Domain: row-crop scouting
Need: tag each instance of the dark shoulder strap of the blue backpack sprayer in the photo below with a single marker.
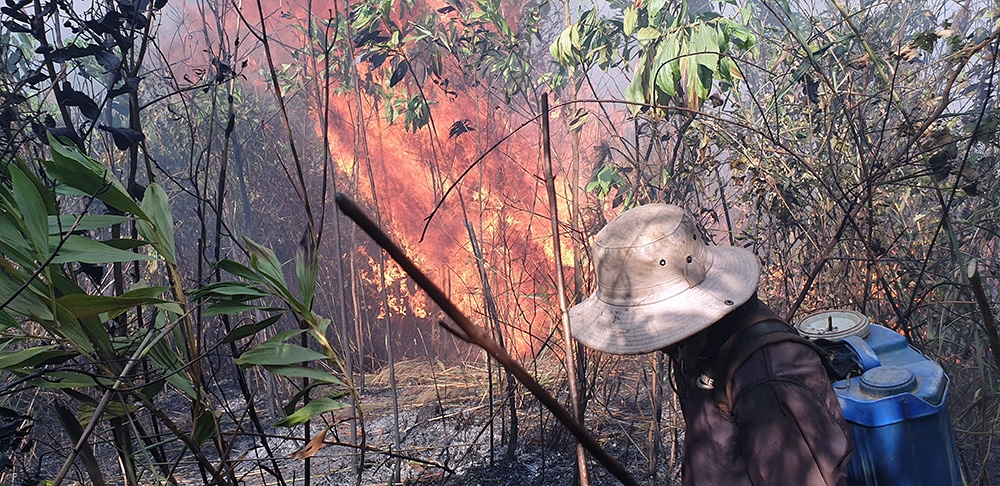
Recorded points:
(747, 340)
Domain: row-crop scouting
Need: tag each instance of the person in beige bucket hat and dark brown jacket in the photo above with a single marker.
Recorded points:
(773, 417)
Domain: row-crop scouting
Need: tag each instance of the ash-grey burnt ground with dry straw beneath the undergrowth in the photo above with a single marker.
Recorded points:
(451, 432)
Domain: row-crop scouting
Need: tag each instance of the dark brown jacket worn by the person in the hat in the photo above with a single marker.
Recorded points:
(785, 428)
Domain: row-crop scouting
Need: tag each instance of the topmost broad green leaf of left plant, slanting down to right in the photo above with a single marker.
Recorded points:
(74, 169)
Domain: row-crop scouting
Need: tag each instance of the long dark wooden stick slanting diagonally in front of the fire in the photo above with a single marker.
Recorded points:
(469, 332)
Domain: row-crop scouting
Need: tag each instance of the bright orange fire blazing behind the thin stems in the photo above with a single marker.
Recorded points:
(405, 175)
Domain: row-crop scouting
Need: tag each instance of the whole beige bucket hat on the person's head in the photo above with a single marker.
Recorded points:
(659, 282)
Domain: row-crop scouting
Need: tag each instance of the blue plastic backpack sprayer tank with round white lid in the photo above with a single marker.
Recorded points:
(897, 406)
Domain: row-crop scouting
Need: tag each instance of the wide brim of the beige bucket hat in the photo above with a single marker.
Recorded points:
(638, 329)
